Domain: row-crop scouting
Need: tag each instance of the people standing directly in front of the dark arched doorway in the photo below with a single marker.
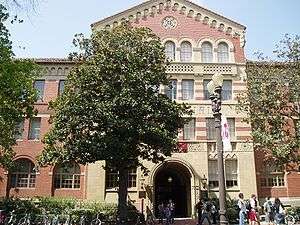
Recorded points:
(166, 212)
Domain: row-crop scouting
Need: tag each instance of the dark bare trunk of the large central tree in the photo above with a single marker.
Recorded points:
(122, 194)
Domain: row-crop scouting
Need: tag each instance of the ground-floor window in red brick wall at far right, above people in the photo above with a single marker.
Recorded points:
(272, 177)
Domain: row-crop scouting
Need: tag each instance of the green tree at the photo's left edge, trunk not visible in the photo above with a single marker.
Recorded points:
(17, 94)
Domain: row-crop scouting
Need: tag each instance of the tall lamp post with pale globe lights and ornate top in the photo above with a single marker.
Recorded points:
(215, 89)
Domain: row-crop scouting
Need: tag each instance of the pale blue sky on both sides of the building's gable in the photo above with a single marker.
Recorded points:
(49, 31)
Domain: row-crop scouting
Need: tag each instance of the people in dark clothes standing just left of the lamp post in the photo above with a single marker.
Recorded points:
(207, 210)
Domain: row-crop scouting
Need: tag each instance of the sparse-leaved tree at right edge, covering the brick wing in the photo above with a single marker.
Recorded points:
(272, 103)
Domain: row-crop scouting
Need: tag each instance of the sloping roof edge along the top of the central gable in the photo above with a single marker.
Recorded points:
(145, 3)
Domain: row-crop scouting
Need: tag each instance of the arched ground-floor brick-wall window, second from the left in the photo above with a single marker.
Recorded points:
(67, 176)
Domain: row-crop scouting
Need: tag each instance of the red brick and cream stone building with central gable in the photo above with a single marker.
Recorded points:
(200, 43)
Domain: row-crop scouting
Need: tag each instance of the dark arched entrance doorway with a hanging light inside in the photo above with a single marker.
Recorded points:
(173, 181)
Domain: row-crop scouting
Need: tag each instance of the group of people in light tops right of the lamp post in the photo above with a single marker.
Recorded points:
(274, 211)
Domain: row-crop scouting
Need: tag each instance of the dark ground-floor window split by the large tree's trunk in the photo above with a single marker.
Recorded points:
(112, 178)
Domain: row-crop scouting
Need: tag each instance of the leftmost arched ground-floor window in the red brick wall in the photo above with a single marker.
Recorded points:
(23, 174)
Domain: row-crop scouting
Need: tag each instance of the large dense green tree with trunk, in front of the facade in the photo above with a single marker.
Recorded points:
(111, 108)
